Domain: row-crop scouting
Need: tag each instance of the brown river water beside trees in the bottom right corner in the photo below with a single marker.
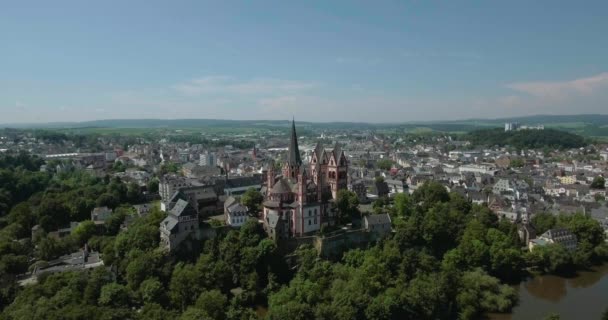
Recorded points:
(584, 297)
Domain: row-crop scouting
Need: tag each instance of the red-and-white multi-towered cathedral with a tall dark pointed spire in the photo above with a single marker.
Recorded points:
(297, 201)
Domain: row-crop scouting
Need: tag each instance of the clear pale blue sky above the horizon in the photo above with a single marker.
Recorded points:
(376, 61)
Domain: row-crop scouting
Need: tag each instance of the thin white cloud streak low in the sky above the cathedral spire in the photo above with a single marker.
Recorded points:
(229, 85)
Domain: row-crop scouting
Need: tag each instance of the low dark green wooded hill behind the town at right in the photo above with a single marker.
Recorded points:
(526, 139)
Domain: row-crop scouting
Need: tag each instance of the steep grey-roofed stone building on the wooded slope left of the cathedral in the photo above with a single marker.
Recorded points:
(180, 223)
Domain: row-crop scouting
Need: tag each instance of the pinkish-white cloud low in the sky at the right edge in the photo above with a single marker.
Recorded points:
(559, 90)
